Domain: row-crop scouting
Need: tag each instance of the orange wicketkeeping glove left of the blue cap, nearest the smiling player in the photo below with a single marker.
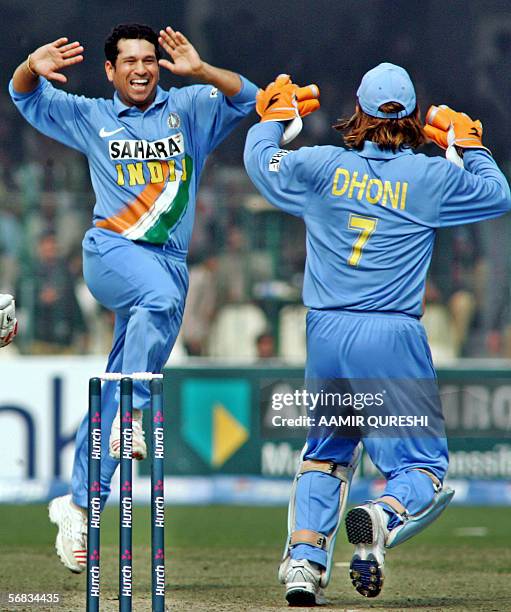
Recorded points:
(283, 100)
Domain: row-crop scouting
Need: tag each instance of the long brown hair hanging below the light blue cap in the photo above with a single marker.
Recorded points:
(388, 133)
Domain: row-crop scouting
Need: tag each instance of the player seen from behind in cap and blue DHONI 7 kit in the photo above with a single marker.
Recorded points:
(370, 210)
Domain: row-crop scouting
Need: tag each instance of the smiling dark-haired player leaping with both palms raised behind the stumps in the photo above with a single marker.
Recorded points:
(146, 148)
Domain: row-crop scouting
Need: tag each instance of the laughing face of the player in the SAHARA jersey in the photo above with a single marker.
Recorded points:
(136, 72)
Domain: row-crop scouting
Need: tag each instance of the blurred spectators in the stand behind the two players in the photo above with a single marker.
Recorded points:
(246, 269)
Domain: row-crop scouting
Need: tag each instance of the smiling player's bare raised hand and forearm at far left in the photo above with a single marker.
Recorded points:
(46, 61)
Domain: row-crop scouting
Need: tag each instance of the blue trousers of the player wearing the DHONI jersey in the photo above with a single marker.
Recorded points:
(348, 345)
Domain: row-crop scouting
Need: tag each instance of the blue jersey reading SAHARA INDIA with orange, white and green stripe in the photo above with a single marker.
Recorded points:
(144, 166)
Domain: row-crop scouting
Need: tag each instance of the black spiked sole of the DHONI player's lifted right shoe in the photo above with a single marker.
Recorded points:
(366, 574)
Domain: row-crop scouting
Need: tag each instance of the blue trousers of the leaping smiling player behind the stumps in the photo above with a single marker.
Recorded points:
(145, 286)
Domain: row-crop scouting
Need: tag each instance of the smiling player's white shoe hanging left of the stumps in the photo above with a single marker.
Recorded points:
(71, 542)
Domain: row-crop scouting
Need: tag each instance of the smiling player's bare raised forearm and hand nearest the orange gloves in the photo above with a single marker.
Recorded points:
(187, 62)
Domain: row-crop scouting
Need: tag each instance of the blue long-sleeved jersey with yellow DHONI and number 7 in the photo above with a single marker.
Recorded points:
(371, 215)
